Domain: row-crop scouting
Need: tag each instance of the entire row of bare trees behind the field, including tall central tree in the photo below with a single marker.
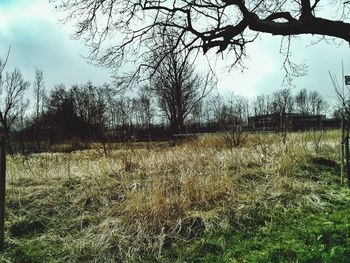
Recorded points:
(175, 99)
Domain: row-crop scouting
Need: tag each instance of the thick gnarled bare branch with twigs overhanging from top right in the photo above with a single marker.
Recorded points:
(222, 25)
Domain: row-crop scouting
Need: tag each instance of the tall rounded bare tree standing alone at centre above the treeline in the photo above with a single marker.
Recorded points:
(178, 88)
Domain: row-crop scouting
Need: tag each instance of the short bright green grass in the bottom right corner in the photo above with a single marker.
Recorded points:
(294, 235)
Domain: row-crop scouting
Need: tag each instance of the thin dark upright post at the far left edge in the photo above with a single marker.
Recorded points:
(2, 187)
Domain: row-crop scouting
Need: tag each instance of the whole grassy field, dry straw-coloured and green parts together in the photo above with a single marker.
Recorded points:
(270, 200)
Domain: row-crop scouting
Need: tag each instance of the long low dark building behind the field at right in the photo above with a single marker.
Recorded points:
(290, 122)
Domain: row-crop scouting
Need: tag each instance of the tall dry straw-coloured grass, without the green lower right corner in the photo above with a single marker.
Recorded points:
(137, 202)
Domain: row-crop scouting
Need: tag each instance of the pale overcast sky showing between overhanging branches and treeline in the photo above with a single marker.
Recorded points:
(38, 40)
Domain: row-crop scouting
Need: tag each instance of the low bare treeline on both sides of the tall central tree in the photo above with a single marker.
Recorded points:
(88, 113)
